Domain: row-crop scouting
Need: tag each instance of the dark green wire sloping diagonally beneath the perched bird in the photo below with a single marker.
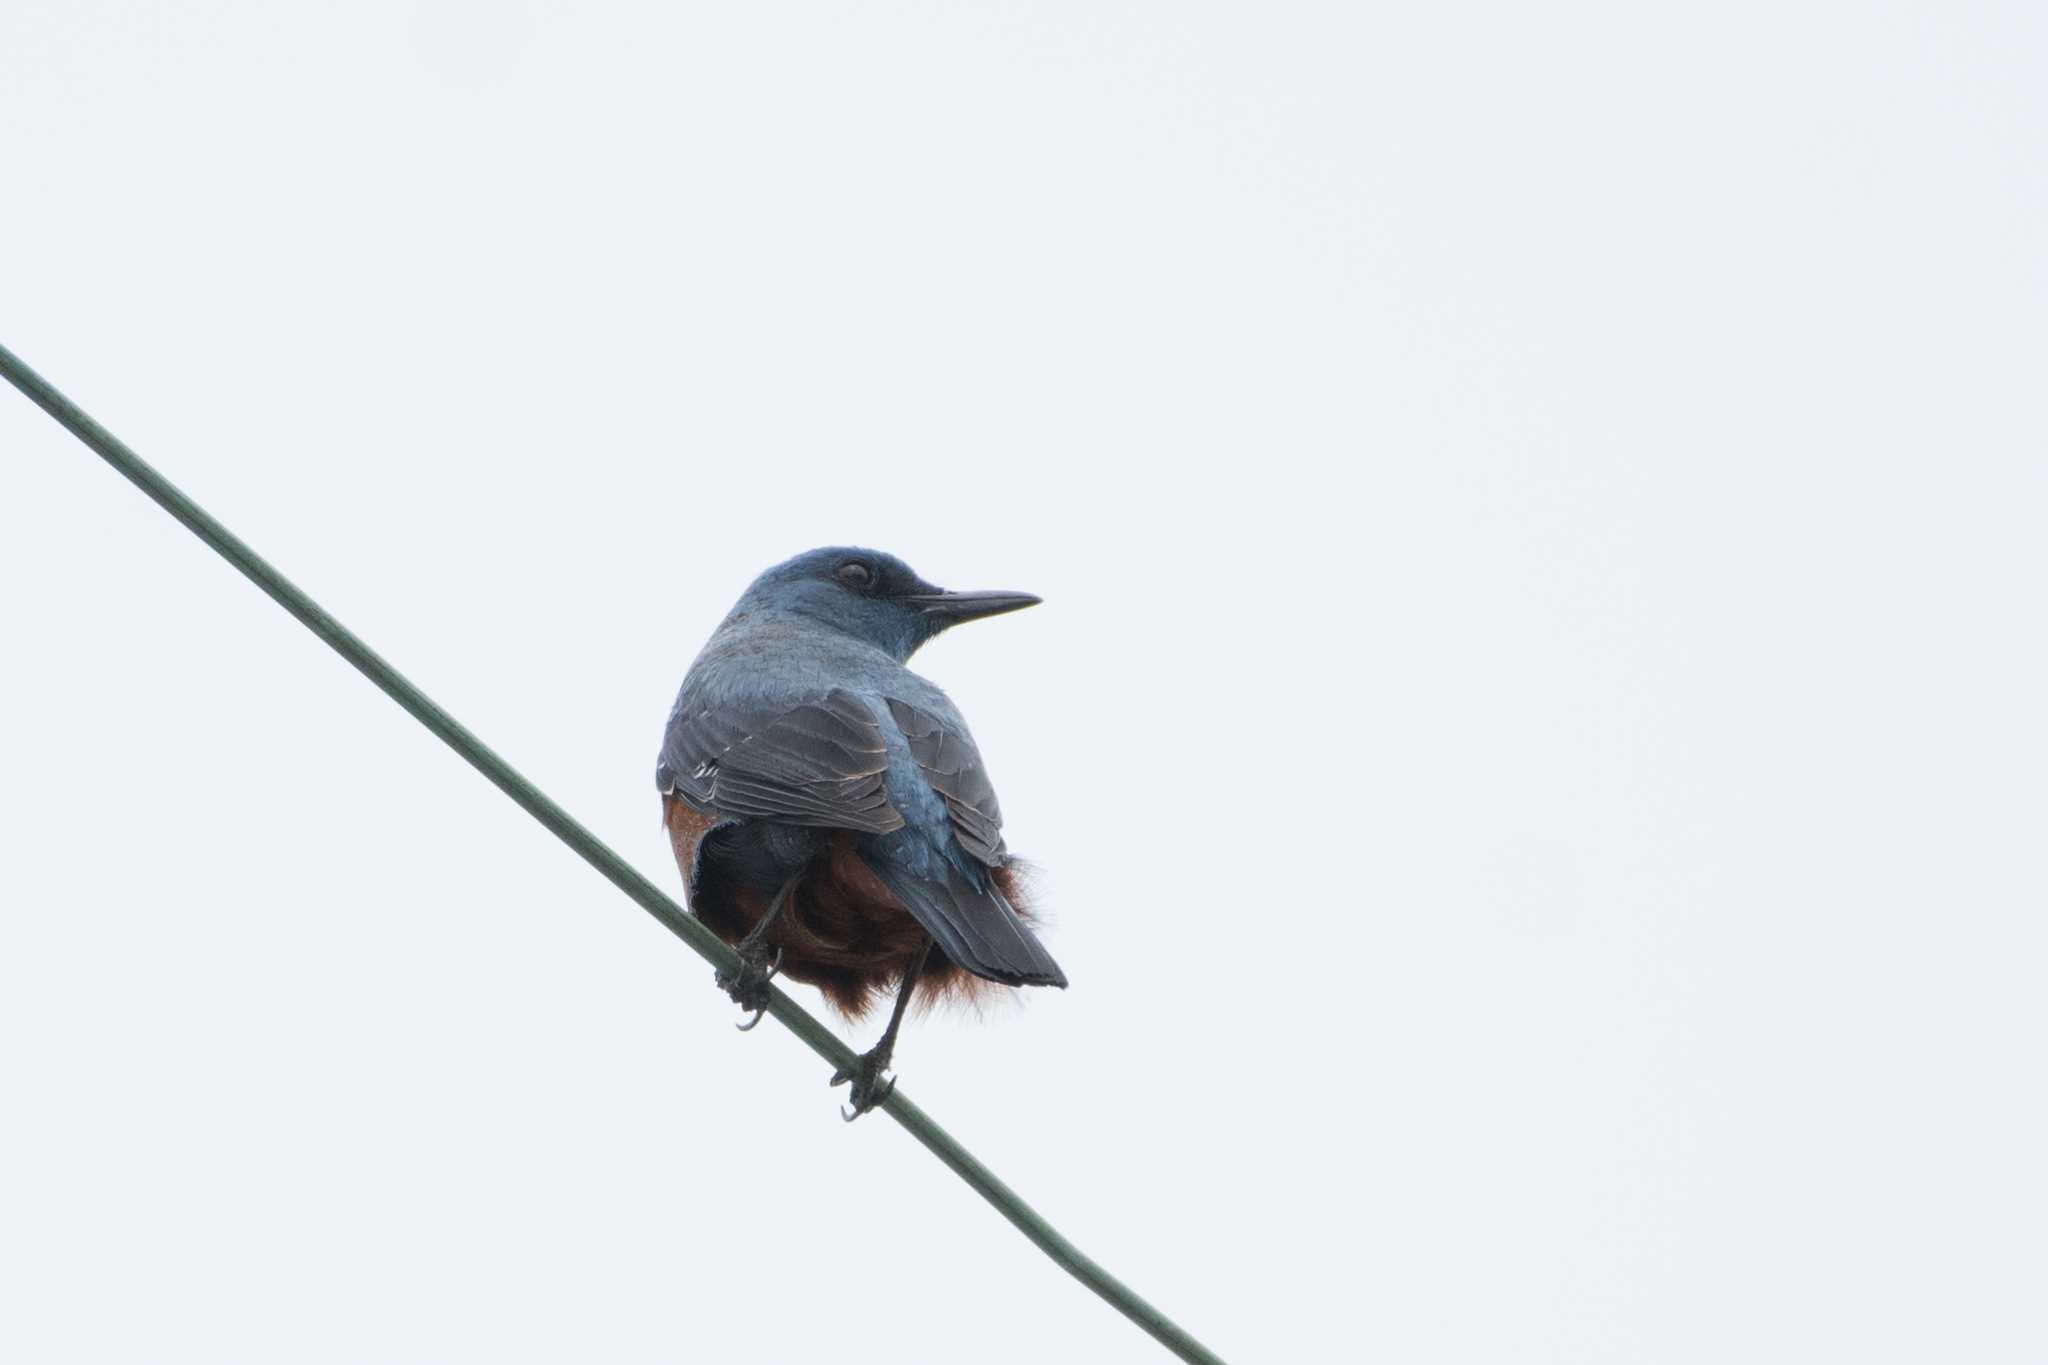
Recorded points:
(593, 850)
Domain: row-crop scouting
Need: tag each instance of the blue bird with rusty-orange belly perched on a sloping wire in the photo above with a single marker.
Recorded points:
(828, 807)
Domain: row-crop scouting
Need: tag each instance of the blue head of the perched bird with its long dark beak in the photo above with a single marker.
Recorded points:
(871, 597)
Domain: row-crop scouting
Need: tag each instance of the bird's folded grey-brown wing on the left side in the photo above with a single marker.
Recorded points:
(814, 760)
